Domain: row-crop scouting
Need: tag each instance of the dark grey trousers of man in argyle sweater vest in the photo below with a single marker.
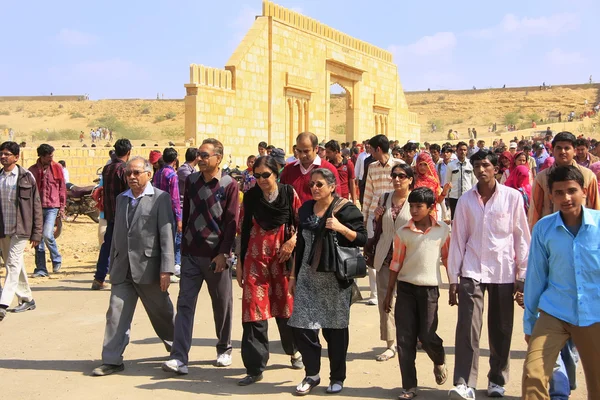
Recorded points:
(194, 271)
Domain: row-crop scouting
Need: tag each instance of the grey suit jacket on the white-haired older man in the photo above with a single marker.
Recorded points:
(147, 246)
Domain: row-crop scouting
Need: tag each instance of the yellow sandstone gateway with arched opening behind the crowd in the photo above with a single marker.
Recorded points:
(277, 84)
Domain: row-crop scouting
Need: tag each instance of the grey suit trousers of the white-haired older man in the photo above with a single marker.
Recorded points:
(123, 300)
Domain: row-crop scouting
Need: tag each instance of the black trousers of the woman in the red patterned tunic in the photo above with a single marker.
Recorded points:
(255, 344)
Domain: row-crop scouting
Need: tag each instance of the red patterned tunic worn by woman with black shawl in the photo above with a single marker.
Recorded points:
(265, 288)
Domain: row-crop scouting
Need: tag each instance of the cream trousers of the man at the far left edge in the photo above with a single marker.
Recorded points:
(16, 276)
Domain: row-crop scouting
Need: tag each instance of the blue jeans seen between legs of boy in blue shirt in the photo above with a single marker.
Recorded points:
(565, 373)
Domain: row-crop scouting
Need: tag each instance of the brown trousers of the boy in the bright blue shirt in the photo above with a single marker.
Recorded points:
(548, 337)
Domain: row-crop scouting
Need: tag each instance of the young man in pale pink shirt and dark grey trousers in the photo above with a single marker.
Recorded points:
(488, 255)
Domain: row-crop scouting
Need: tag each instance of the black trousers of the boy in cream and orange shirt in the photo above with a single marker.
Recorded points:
(416, 315)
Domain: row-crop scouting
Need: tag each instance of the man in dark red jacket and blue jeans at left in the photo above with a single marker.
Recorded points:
(53, 193)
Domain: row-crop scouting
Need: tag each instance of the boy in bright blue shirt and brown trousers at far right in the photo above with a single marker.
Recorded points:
(562, 292)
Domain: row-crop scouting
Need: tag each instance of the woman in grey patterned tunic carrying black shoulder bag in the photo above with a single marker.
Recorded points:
(321, 301)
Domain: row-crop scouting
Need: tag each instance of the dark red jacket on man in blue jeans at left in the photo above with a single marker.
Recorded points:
(51, 185)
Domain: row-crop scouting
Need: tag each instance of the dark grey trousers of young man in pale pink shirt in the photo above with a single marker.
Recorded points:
(468, 330)
